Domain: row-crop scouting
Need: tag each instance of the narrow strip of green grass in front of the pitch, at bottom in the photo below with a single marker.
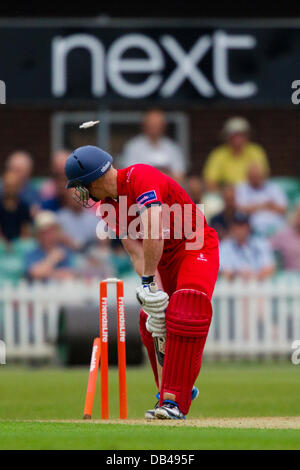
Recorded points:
(113, 436)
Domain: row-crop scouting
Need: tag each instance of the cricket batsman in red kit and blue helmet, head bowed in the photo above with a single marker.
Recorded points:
(177, 258)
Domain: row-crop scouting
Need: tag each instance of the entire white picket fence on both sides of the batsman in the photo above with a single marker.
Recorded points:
(249, 318)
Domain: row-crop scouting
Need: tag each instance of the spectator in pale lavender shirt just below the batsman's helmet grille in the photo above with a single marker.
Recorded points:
(77, 223)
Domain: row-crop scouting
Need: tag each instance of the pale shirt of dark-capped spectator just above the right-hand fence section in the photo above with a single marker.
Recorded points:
(254, 255)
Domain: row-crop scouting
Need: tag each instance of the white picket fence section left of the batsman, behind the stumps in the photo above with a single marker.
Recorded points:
(29, 313)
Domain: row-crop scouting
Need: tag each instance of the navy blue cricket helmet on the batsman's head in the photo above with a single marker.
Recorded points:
(86, 164)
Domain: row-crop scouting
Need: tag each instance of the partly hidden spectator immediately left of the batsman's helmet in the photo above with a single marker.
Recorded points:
(53, 191)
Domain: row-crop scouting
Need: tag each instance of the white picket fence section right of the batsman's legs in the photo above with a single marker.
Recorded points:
(255, 318)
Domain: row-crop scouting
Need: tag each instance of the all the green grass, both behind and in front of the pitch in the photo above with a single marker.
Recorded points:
(225, 391)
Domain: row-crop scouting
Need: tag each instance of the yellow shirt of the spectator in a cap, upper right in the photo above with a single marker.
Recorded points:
(223, 166)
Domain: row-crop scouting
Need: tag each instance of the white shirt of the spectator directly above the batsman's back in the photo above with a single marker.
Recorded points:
(163, 154)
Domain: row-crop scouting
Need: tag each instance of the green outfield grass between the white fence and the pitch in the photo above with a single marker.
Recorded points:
(225, 390)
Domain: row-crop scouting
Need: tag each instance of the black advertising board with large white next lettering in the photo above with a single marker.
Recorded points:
(81, 61)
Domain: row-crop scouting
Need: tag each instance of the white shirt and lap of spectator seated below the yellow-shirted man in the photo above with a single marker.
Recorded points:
(263, 222)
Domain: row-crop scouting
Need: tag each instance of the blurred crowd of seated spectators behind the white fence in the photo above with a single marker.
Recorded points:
(45, 234)
